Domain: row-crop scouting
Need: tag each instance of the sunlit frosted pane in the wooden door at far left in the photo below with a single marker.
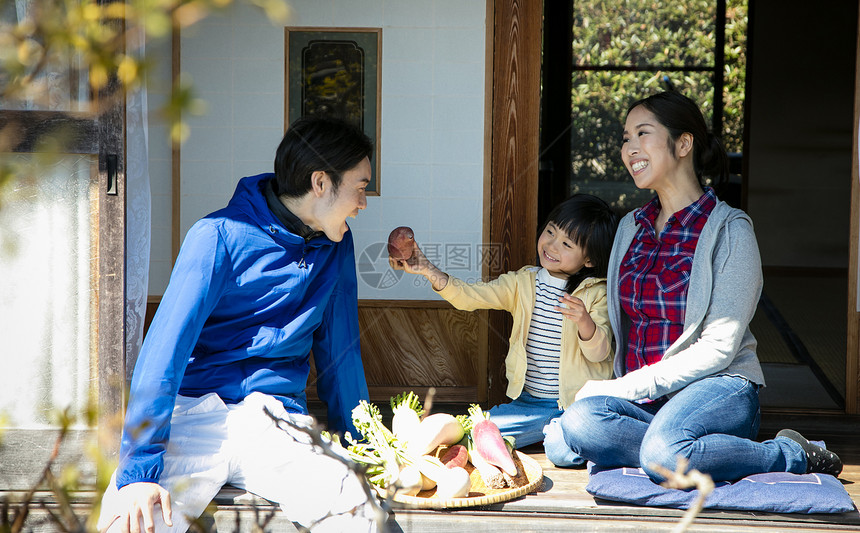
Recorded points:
(48, 302)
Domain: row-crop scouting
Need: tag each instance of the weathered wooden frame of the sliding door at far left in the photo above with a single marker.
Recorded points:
(25, 451)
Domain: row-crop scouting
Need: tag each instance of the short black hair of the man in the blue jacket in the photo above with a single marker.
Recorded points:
(317, 143)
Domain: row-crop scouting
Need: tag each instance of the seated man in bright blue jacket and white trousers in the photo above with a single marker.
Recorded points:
(257, 286)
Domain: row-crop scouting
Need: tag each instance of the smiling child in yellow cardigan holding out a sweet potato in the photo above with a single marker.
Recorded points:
(560, 336)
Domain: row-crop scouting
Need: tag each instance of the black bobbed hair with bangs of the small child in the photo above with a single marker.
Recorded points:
(591, 224)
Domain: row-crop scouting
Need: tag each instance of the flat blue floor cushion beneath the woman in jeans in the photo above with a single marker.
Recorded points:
(778, 492)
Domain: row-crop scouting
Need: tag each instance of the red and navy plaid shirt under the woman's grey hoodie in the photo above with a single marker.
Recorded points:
(654, 277)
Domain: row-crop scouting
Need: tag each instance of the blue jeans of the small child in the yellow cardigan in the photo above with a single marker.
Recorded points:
(529, 419)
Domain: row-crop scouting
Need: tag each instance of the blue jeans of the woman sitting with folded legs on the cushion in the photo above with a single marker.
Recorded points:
(710, 422)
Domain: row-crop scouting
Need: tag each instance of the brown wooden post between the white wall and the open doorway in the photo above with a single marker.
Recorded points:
(515, 158)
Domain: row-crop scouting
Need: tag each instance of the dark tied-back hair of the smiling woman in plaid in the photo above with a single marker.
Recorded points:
(680, 114)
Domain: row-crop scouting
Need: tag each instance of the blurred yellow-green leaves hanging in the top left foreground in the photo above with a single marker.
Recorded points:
(85, 44)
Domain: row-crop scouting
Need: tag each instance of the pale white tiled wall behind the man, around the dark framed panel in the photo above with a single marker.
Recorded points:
(433, 90)
